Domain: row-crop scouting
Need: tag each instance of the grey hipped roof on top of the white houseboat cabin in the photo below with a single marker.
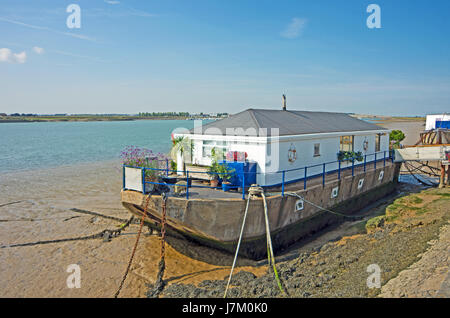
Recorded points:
(289, 122)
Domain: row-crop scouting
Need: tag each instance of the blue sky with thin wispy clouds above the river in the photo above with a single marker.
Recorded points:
(131, 56)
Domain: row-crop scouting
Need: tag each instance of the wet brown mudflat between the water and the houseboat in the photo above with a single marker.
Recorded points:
(35, 206)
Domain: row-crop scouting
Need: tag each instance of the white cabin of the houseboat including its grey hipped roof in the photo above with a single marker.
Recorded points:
(285, 140)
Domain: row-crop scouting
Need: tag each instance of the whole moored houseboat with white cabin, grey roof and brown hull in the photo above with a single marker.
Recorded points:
(307, 163)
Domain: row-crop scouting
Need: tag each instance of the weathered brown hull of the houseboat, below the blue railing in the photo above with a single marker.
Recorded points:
(217, 222)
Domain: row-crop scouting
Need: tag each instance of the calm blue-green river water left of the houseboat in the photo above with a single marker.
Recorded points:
(25, 146)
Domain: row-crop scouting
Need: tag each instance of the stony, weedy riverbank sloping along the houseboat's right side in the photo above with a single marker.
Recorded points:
(394, 241)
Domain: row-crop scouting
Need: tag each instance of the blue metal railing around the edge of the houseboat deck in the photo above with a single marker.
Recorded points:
(302, 172)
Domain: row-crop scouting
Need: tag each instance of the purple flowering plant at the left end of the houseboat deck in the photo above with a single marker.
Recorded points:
(142, 157)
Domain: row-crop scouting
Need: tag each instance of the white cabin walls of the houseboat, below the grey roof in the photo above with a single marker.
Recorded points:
(291, 153)
